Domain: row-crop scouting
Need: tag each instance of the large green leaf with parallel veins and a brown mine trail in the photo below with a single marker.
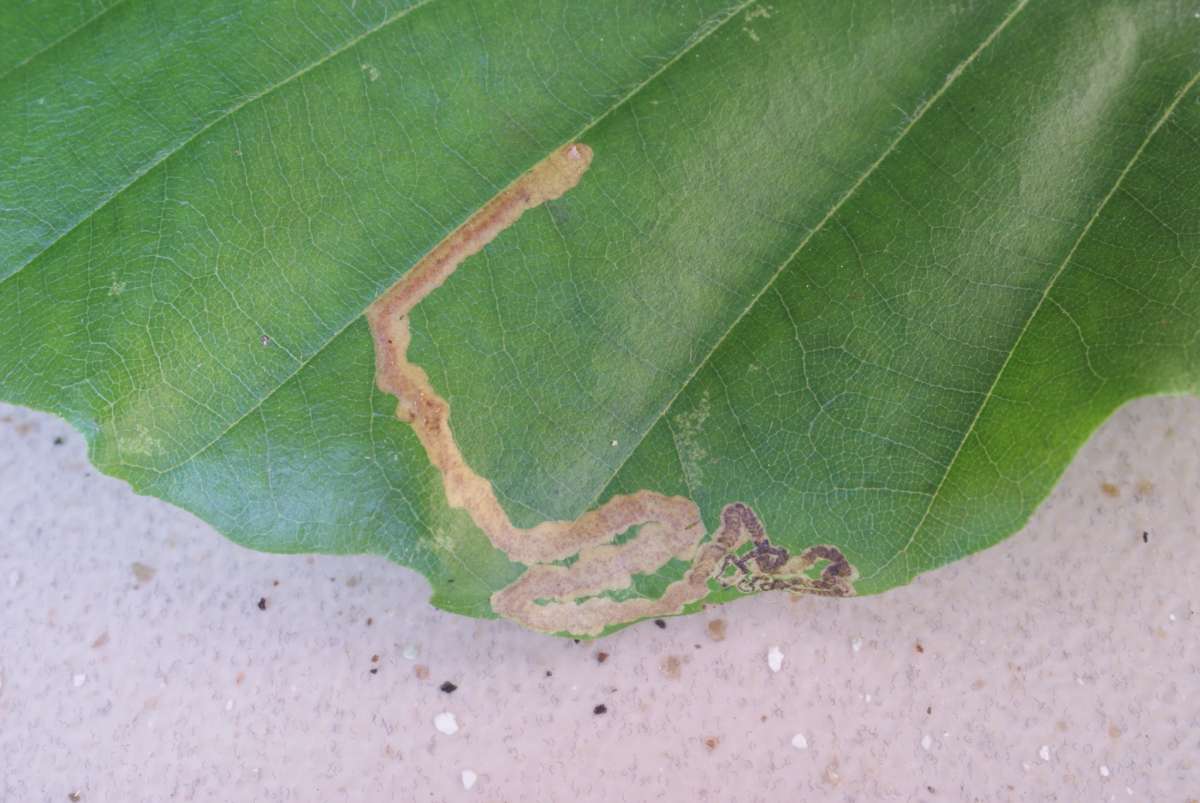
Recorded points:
(842, 292)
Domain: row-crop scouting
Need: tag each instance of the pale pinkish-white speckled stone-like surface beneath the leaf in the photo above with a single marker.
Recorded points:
(146, 658)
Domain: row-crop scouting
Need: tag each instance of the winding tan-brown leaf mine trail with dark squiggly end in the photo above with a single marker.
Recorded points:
(556, 598)
